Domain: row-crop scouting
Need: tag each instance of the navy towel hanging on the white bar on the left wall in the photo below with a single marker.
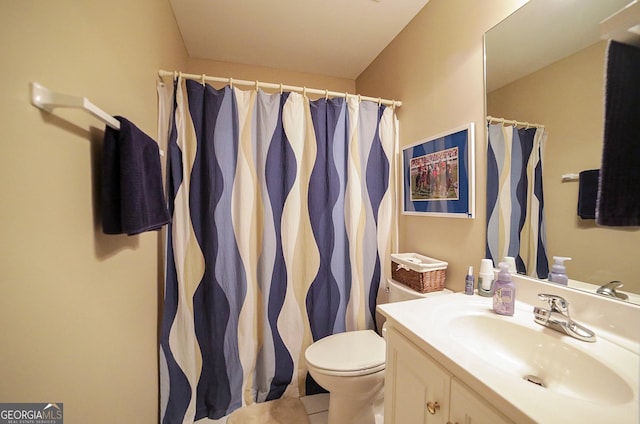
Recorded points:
(132, 194)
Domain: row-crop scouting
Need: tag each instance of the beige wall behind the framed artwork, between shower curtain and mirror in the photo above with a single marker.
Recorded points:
(434, 66)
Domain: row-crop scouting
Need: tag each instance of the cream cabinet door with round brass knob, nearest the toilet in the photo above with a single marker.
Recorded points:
(416, 388)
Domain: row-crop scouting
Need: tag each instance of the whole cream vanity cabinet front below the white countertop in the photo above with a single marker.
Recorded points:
(418, 390)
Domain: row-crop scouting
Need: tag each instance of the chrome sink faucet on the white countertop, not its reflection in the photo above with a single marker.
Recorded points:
(557, 318)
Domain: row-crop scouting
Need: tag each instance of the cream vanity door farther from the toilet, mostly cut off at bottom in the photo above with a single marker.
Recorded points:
(469, 408)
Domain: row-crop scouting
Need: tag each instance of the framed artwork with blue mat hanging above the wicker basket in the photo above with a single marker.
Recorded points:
(438, 175)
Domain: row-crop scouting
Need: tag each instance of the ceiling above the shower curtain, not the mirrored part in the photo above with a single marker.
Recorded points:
(338, 38)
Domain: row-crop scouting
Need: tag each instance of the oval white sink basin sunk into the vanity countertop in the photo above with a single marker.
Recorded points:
(539, 357)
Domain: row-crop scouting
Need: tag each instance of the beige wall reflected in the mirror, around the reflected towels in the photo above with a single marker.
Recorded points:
(567, 97)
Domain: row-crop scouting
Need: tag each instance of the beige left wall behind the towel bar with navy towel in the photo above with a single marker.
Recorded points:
(78, 309)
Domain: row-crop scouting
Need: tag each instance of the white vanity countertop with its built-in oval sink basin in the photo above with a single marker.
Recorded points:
(504, 358)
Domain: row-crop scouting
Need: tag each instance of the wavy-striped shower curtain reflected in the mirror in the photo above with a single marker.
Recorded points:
(515, 201)
